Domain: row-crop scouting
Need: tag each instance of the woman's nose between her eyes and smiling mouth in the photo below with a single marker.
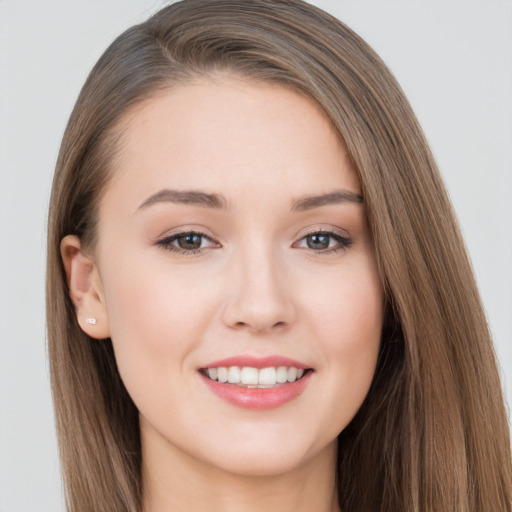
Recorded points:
(260, 297)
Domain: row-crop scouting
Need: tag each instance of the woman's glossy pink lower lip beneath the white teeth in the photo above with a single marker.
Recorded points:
(258, 398)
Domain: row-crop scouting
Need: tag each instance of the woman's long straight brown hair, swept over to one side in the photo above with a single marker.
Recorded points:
(432, 433)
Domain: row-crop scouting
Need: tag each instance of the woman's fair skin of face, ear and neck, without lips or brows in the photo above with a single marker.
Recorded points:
(255, 287)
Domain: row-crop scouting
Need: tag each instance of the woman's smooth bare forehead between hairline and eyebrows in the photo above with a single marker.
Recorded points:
(230, 136)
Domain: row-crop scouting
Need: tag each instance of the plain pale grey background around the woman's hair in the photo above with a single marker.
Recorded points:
(454, 61)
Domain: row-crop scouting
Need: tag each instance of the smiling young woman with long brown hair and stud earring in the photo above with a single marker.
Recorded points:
(257, 292)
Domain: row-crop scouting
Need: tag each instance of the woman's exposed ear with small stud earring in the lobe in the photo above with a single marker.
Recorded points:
(85, 288)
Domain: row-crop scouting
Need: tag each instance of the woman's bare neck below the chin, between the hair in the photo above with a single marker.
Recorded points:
(180, 483)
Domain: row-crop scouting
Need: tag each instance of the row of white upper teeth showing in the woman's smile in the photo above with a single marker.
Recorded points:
(249, 376)
